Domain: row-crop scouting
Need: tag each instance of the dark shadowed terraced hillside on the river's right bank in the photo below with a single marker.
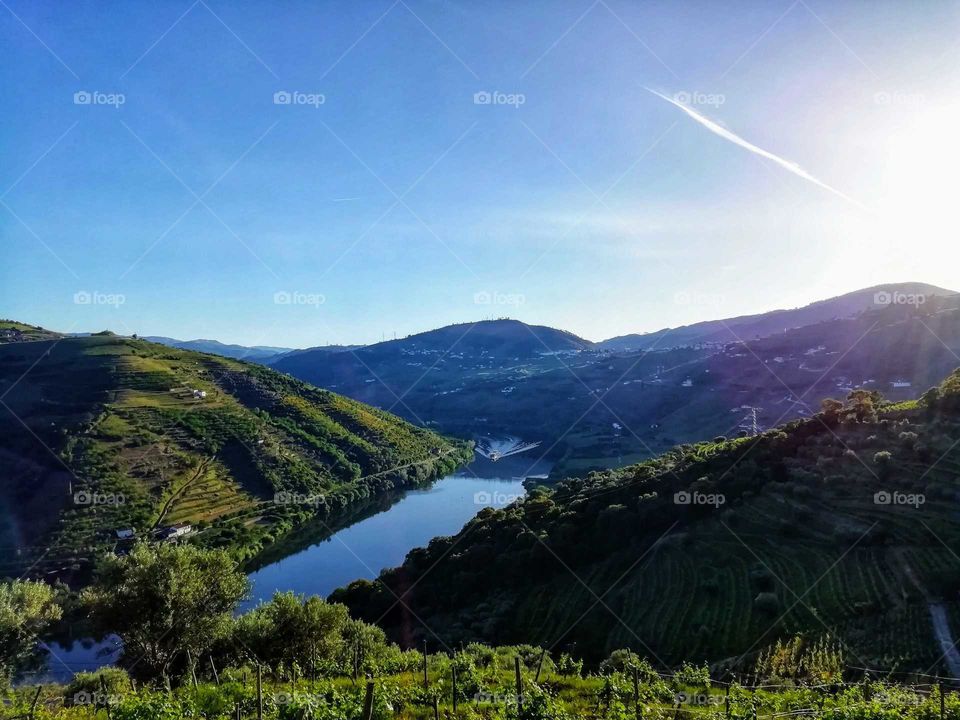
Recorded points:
(844, 524)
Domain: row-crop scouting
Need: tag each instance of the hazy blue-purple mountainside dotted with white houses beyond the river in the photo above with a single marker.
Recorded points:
(595, 408)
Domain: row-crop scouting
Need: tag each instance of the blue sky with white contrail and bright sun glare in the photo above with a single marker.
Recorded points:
(302, 173)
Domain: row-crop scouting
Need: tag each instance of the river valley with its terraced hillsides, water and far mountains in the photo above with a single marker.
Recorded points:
(324, 495)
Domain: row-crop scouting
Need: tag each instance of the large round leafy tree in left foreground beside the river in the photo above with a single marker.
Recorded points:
(163, 601)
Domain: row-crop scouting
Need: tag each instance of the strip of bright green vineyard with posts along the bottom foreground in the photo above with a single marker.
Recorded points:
(508, 683)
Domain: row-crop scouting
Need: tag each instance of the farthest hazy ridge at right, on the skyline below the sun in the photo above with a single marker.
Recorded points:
(750, 327)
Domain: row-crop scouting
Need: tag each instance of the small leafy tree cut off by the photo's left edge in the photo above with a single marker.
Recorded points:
(26, 608)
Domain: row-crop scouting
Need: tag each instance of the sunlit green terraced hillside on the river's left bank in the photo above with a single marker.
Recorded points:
(104, 433)
